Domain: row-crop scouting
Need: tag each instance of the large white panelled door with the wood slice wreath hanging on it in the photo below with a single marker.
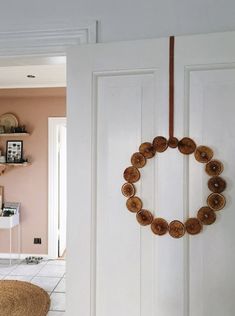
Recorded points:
(117, 99)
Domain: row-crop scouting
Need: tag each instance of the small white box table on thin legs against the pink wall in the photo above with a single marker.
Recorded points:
(8, 222)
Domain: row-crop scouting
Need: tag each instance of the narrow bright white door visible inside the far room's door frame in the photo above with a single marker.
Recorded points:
(62, 189)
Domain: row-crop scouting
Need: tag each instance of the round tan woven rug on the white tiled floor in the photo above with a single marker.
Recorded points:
(19, 298)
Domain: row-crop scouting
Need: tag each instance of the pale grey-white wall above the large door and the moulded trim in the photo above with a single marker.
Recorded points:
(123, 19)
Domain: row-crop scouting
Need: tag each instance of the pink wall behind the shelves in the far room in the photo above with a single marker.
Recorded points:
(29, 185)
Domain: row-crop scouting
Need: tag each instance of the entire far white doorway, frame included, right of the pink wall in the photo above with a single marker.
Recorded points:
(57, 187)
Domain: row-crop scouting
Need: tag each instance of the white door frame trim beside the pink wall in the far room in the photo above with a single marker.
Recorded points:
(53, 125)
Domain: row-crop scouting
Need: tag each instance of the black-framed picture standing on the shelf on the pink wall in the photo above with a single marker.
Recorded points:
(14, 151)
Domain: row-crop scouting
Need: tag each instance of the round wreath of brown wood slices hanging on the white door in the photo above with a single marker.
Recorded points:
(206, 215)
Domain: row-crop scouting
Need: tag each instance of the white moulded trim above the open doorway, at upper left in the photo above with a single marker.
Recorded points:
(46, 42)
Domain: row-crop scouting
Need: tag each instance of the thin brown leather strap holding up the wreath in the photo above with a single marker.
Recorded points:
(171, 86)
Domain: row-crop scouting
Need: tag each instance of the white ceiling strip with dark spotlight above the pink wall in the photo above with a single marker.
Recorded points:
(48, 73)
